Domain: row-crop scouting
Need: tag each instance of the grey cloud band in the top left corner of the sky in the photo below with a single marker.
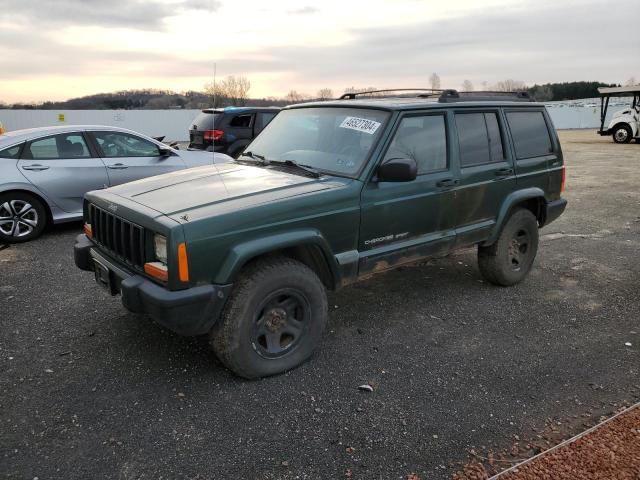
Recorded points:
(135, 14)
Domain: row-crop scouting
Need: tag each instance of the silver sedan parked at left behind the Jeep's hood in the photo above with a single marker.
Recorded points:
(45, 172)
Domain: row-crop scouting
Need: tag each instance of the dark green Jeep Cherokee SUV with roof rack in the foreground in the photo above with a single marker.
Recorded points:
(328, 194)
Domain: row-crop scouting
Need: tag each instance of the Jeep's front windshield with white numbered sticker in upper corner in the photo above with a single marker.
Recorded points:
(332, 140)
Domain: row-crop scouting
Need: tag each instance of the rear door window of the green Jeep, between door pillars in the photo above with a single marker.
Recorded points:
(479, 138)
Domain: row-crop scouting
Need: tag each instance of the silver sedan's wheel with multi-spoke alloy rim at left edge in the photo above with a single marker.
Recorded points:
(22, 217)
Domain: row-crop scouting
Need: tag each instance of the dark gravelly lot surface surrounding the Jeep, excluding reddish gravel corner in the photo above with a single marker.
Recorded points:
(91, 391)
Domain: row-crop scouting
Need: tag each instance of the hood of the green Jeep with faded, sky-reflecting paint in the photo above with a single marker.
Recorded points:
(193, 188)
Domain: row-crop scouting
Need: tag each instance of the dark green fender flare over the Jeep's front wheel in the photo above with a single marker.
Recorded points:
(242, 253)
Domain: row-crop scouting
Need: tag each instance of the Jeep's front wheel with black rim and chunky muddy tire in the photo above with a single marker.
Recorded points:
(273, 320)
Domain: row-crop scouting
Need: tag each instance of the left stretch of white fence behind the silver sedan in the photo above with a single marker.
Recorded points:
(173, 124)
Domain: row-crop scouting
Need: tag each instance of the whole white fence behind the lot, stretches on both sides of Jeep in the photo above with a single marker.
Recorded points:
(175, 124)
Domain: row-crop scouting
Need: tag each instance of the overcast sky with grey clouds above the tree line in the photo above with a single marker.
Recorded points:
(54, 50)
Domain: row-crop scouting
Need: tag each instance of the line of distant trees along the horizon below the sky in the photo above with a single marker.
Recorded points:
(234, 91)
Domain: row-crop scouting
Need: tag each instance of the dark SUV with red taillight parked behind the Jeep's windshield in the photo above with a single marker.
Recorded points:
(228, 130)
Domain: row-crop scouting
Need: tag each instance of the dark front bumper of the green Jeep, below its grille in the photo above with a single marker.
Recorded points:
(187, 312)
